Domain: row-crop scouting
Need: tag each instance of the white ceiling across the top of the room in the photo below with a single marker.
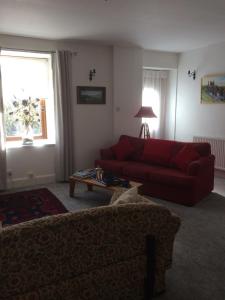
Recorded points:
(166, 25)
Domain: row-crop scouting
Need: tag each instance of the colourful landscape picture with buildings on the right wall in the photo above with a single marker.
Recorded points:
(213, 89)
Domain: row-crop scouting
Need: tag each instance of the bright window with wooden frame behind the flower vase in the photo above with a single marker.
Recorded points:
(27, 94)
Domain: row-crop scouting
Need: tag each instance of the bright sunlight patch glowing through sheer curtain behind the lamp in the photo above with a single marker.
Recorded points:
(150, 97)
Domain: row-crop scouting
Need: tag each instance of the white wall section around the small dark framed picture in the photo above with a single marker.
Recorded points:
(93, 124)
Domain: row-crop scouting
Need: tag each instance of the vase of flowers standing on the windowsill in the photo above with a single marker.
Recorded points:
(25, 112)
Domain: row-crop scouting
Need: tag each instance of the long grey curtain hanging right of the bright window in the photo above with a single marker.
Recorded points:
(62, 78)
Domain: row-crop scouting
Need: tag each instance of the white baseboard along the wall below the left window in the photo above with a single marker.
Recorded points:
(26, 182)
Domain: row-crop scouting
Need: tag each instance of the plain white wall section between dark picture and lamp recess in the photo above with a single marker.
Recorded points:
(127, 90)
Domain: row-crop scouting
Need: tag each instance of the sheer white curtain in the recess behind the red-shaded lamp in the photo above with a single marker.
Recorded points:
(154, 95)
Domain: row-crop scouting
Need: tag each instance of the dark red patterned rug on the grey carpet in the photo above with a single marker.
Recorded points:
(24, 206)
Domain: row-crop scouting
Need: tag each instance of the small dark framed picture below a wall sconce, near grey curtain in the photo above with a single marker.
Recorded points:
(91, 95)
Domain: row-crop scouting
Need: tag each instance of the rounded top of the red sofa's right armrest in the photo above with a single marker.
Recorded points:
(201, 165)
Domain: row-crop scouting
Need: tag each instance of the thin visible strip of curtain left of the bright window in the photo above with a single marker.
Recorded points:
(3, 177)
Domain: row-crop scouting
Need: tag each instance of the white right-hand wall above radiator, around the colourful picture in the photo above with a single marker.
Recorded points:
(194, 118)
